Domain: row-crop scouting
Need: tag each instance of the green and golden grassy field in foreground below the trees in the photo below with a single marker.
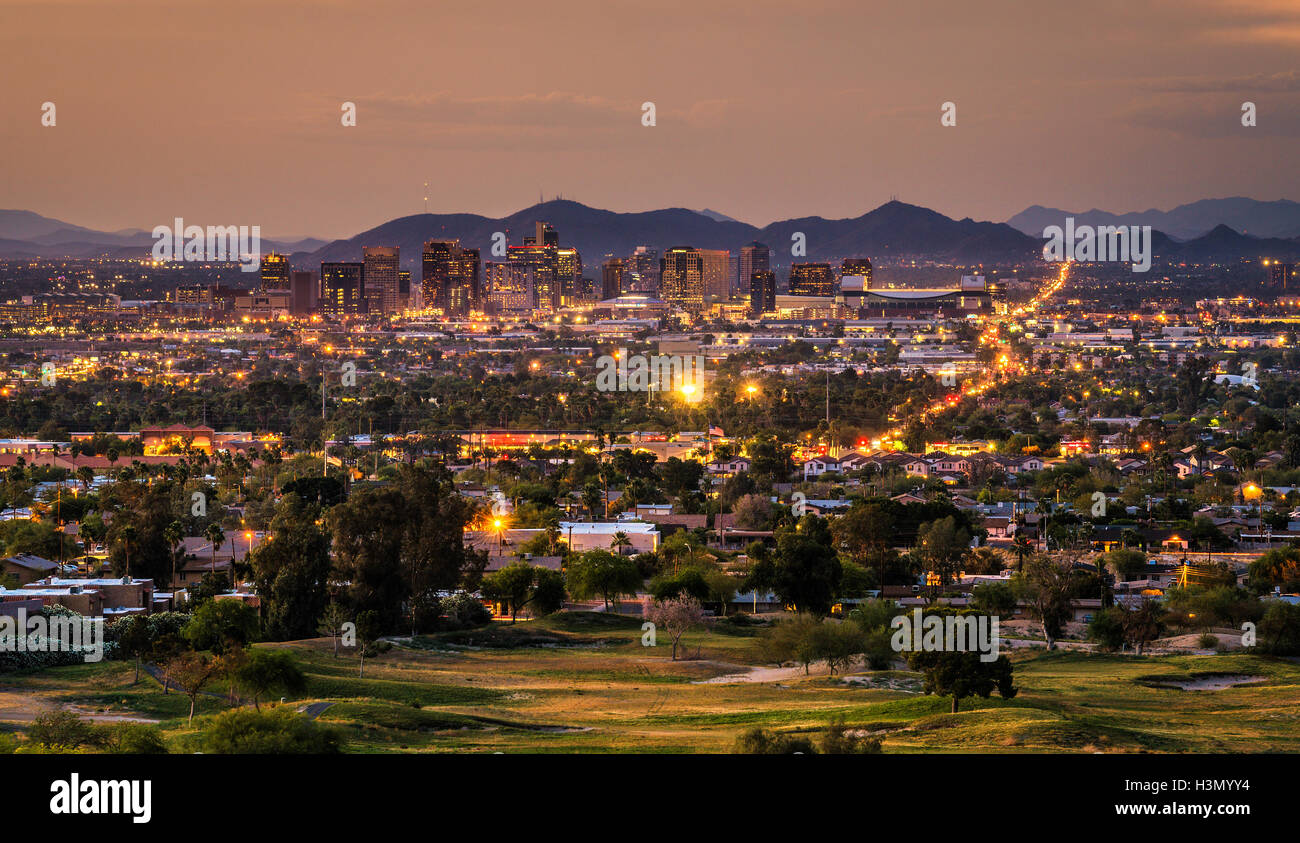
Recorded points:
(584, 684)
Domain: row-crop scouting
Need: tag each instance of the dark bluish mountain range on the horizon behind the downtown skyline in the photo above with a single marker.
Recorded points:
(892, 231)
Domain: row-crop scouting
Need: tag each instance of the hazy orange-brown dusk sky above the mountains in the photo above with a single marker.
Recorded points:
(227, 113)
